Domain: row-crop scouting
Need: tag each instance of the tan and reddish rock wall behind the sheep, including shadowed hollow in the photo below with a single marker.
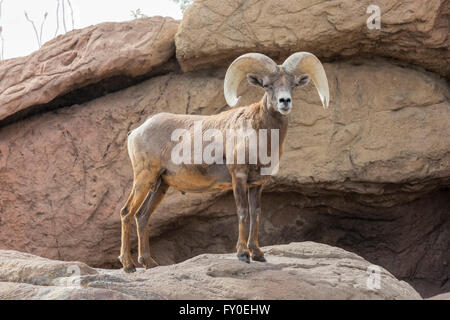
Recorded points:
(370, 175)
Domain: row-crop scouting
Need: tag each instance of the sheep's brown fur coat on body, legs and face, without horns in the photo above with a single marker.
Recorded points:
(150, 149)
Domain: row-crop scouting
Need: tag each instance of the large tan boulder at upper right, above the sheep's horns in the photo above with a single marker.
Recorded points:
(213, 32)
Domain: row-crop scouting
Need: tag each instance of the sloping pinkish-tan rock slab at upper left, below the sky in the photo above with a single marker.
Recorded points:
(83, 57)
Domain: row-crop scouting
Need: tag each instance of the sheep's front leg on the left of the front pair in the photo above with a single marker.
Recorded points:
(240, 196)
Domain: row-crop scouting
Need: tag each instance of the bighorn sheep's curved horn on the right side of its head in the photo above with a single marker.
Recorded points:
(305, 62)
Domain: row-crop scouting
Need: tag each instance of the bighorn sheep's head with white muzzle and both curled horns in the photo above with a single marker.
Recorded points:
(278, 81)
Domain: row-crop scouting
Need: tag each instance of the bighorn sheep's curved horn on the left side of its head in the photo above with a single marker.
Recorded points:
(238, 70)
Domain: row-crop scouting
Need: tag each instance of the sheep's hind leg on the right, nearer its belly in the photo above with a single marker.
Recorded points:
(151, 202)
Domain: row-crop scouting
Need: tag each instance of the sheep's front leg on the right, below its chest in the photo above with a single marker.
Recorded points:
(254, 200)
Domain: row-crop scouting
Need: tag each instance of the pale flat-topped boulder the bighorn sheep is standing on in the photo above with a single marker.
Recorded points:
(295, 271)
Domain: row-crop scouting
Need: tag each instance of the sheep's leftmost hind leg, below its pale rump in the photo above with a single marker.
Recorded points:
(140, 189)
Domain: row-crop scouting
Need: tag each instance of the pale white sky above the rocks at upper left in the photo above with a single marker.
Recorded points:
(19, 39)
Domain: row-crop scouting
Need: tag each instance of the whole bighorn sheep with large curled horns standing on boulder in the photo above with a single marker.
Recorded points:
(150, 147)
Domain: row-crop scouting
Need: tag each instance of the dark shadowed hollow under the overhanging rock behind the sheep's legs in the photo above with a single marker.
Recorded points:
(411, 240)
